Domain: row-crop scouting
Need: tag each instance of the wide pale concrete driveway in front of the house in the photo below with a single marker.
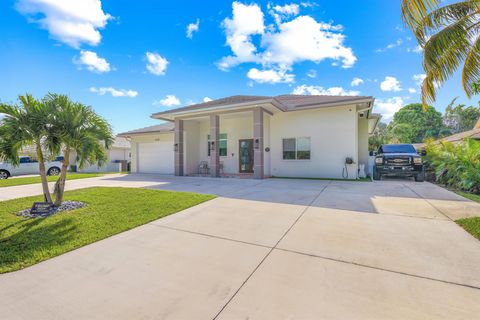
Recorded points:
(271, 249)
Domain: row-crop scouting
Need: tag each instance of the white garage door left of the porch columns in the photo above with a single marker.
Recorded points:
(156, 157)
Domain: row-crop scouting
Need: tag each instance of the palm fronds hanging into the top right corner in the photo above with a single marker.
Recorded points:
(449, 36)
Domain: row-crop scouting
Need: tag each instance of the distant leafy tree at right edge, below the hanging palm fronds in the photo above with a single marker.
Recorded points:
(460, 118)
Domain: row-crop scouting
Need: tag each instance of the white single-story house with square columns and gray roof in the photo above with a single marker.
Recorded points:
(258, 136)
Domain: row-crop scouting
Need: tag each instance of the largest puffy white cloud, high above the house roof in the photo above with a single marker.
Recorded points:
(314, 41)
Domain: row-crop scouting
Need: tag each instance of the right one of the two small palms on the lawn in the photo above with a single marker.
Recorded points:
(76, 128)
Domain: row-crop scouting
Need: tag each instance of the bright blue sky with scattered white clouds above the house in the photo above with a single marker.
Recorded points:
(131, 59)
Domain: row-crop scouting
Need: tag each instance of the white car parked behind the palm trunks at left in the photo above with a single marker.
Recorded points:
(29, 166)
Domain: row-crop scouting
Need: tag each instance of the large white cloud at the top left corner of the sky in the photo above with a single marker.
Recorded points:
(71, 22)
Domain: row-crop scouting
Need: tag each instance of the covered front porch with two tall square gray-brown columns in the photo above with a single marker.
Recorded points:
(233, 144)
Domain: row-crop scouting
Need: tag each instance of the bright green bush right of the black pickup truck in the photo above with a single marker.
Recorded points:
(456, 165)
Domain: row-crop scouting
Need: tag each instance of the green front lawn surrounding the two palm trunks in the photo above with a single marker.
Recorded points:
(24, 242)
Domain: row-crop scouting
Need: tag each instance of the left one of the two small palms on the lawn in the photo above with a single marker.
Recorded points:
(25, 125)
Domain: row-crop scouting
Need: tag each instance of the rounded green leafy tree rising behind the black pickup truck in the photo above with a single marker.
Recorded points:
(413, 125)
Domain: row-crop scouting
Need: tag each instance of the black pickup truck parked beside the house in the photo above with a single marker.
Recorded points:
(398, 160)
